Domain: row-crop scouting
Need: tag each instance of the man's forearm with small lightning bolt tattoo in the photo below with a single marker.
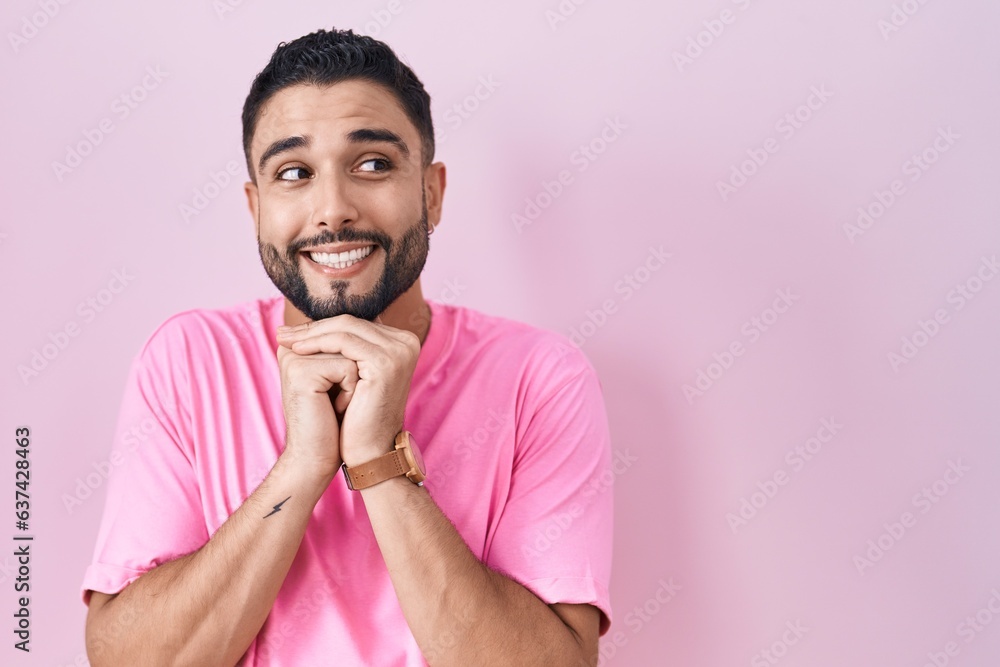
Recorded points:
(206, 607)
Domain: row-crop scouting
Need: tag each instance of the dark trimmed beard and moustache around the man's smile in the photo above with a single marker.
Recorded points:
(404, 260)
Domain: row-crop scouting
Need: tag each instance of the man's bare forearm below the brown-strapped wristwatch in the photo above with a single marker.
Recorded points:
(459, 611)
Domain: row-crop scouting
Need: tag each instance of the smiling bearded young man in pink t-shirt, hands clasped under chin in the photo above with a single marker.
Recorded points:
(473, 525)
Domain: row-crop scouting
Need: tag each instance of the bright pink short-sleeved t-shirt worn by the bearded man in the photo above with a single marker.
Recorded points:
(511, 423)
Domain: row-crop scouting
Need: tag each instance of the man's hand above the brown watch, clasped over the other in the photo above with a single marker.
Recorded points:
(385, 359)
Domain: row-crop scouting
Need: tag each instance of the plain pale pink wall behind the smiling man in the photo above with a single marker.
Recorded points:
(682, 130)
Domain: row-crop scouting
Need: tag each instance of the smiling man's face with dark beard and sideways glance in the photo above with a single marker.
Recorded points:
(341, 209)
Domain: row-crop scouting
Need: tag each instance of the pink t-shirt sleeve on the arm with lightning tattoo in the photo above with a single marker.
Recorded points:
(153, 510)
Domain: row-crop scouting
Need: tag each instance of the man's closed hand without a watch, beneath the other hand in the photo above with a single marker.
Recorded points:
(311, 402)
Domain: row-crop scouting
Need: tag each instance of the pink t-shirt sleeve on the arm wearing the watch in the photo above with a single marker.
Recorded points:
(554, 535)
